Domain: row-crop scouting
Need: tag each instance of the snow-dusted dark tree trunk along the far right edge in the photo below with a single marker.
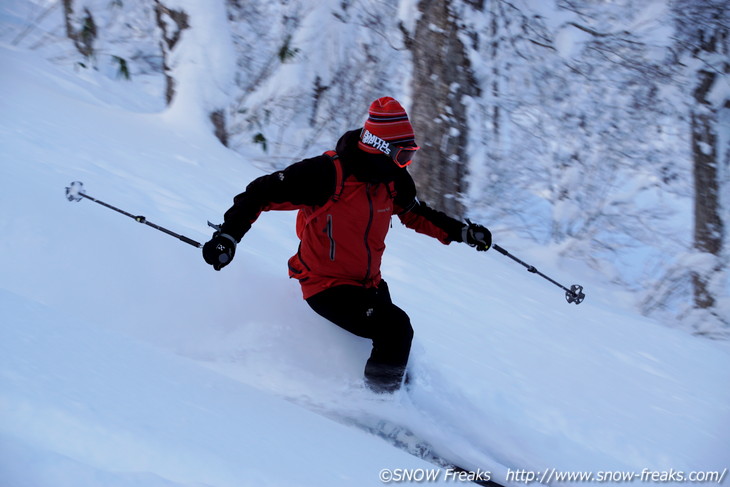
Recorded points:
(703, 44)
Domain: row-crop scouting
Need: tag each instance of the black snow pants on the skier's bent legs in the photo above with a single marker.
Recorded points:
(370, 313)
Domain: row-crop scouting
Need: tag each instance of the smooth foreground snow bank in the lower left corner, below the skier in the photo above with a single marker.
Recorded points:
(82, 406)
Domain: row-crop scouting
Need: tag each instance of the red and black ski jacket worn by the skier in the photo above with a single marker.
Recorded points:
(346, 199)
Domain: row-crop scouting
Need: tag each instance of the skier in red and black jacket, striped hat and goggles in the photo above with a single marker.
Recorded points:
(346, 199)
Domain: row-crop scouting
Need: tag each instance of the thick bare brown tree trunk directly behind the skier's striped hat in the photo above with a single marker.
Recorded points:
(442, 79)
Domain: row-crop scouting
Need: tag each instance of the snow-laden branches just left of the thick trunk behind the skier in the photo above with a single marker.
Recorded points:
(307, 71)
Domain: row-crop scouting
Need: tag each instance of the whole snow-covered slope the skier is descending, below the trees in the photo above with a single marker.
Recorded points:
(126, 360)
